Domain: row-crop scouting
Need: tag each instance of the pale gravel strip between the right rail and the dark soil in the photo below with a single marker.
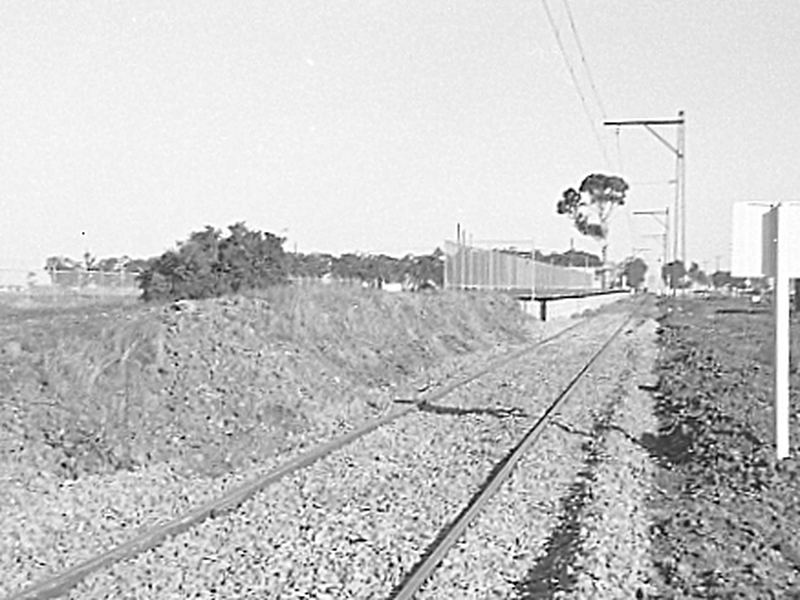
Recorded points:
(571, 521)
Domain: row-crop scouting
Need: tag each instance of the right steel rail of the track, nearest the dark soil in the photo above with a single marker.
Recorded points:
(420, 573)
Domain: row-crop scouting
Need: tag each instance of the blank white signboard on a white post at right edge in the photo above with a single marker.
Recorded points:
(779, 255)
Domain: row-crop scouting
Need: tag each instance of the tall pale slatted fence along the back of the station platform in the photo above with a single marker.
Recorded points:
(513, 271)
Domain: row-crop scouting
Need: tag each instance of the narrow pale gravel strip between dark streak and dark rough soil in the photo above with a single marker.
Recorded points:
(616, 559)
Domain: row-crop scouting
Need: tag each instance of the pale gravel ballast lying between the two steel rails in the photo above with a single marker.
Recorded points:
(352, 518)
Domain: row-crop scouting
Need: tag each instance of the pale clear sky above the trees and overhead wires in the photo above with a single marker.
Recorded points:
(378, 125)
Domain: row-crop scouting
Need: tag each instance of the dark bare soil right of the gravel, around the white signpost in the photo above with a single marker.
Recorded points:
(728, 513)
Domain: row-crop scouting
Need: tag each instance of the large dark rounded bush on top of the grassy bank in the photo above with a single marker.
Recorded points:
(208, 265)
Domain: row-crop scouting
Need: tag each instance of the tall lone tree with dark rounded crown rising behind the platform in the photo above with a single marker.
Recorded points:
(596, 198)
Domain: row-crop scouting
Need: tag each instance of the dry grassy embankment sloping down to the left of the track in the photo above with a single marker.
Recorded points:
(217, 383)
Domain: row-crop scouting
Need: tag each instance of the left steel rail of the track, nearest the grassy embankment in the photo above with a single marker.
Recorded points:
(58, 585)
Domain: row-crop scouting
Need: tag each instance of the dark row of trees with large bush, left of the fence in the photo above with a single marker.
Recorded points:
(211, 263)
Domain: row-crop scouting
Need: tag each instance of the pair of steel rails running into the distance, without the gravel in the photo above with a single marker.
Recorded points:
(228, 503)
